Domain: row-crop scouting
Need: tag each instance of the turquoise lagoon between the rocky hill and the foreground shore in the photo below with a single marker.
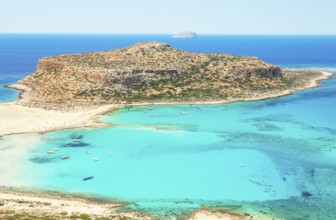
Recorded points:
(277, 151)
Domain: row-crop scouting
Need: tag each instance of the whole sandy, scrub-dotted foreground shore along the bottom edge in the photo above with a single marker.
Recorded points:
(54, 205)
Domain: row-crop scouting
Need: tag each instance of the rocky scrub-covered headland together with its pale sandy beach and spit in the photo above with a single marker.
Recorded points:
(70, 91)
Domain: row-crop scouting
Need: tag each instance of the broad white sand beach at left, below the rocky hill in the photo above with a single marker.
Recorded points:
(15, 118)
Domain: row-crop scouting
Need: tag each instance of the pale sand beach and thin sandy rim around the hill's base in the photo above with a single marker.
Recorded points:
(18, 119)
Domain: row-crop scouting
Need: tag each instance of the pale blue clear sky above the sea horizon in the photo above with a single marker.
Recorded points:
(168, 16)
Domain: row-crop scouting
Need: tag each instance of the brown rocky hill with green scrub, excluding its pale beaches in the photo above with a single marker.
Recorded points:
(150, 72)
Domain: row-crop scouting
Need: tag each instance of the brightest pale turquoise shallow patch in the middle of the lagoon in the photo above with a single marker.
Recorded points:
(144, 165)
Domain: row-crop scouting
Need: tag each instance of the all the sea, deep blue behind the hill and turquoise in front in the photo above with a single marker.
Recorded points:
(275, 157)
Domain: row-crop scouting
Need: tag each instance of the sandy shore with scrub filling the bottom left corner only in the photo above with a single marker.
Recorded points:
(57, 206)
